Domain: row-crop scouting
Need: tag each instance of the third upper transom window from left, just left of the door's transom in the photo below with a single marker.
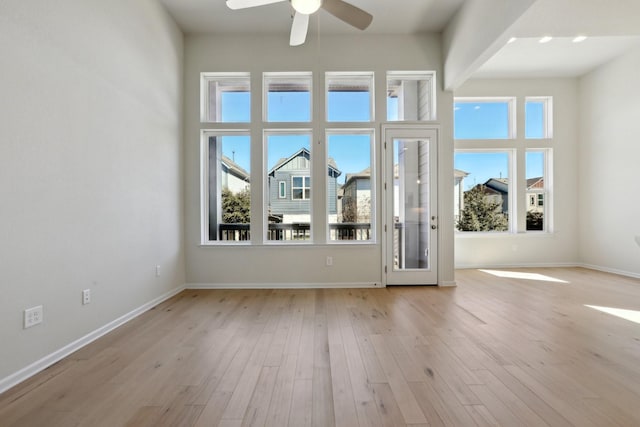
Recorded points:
(349, 97)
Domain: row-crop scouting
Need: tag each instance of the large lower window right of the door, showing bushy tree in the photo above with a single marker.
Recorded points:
(484, 183)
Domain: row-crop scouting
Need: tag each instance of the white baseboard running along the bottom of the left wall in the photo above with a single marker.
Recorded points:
(39, 365)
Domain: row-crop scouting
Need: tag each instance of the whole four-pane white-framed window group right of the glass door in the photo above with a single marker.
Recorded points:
(490, 194)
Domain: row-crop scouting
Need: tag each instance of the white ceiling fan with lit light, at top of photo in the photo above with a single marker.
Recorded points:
(342, 10)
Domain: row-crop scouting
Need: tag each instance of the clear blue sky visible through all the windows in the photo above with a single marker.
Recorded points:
(472, 120)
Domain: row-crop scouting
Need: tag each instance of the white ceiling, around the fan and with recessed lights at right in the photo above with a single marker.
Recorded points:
(612, 27)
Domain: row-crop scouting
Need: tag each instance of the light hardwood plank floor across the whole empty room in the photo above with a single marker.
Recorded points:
(508, 351)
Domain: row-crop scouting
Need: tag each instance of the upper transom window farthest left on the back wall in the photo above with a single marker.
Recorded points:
(225, 97)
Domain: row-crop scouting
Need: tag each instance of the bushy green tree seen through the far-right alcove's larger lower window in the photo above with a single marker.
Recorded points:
(480, 213)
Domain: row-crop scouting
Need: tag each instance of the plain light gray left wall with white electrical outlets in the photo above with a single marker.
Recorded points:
(90, 167)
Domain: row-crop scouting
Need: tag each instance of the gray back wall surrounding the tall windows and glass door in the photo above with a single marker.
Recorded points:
(298, 264)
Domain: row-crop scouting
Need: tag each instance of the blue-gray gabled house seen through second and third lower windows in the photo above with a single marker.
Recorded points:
(290, 188)
